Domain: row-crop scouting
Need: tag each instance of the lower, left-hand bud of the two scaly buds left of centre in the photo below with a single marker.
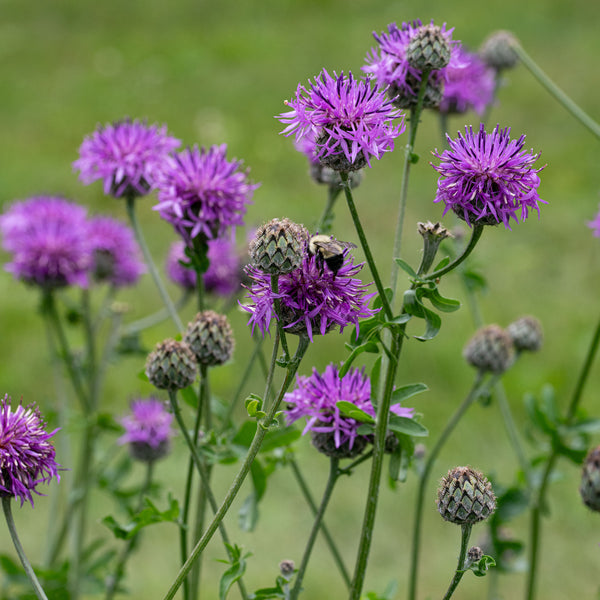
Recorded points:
(171, 366)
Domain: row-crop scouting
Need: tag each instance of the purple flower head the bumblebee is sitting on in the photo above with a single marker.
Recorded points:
(313, 300)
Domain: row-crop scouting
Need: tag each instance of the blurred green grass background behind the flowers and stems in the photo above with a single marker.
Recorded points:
(218, 72)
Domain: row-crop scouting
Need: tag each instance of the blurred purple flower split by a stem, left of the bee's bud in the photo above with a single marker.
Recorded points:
(223, 276)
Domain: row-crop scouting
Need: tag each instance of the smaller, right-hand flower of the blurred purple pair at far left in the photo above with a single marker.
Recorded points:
(116, 253)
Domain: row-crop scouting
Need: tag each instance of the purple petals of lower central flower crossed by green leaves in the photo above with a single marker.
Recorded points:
(315, 398)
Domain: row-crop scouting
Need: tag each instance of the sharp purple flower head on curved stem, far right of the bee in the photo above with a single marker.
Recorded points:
(487, 178)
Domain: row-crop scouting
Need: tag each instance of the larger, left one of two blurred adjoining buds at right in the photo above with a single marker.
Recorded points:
(490, 349)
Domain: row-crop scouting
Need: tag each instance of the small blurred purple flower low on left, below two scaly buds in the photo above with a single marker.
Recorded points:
(148, 430)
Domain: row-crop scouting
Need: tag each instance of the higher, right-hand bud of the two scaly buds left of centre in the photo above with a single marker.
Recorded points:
(210, 337)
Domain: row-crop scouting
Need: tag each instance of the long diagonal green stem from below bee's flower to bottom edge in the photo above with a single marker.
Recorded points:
(236, 484)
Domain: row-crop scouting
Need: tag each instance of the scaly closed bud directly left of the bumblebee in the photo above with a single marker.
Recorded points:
(278, 246)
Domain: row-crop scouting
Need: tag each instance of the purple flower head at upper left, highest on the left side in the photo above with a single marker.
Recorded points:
(126, 155)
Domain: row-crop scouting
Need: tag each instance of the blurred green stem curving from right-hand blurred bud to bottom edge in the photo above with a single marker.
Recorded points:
(476, 390)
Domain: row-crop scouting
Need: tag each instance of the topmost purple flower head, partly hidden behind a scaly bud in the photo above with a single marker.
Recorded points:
(389, 64)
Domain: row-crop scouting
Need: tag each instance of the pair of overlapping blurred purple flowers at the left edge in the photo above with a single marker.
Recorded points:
(53, 244)
